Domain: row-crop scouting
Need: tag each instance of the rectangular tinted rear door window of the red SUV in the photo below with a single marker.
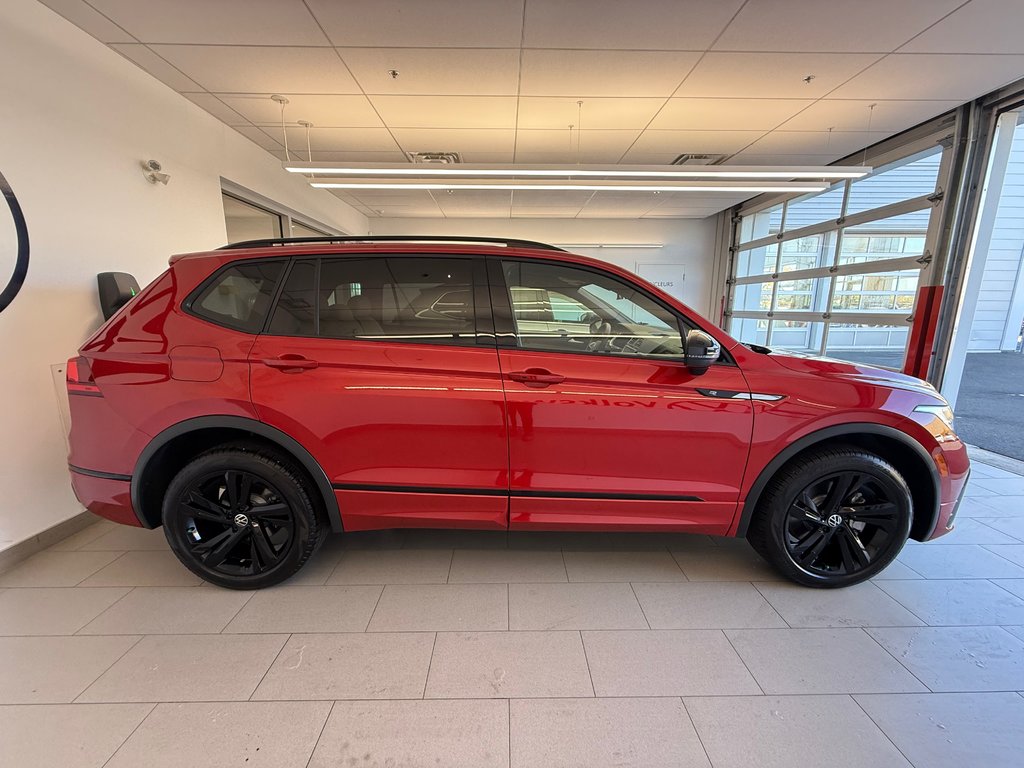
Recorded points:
(426, 301)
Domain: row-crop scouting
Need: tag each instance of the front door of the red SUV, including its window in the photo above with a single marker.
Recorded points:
(608, 426)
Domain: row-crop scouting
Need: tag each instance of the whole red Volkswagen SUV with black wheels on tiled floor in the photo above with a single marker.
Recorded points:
(255, 398)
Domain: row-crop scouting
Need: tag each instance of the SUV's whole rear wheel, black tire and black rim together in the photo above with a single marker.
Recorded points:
(242, 518)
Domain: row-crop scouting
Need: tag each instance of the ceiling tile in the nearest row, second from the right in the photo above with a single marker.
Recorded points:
(868, 26)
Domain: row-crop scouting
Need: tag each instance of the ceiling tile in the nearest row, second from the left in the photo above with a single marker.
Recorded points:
(223, 22)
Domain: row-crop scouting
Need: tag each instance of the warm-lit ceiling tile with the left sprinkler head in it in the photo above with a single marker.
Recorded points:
(436, 71)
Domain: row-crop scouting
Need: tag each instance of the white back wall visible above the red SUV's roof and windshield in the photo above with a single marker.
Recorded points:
(688, 242)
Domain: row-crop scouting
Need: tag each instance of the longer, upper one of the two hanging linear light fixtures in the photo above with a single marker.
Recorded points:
(589, 172)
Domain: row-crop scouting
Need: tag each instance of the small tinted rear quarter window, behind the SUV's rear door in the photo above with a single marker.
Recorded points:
(240, 296)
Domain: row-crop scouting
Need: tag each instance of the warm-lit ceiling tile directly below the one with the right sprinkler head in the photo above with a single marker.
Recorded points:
(726, 114)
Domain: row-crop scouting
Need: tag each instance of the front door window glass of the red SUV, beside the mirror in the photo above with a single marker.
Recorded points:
(563, 309)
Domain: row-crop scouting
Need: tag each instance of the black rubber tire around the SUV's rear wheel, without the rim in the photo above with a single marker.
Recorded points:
(275, 474)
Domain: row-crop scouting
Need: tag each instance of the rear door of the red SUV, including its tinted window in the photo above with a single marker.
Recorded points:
(385, 367)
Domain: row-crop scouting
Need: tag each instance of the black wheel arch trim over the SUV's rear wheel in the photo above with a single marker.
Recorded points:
(283, 441)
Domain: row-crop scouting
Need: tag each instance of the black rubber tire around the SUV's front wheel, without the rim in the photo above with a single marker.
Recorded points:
(787, 494)
